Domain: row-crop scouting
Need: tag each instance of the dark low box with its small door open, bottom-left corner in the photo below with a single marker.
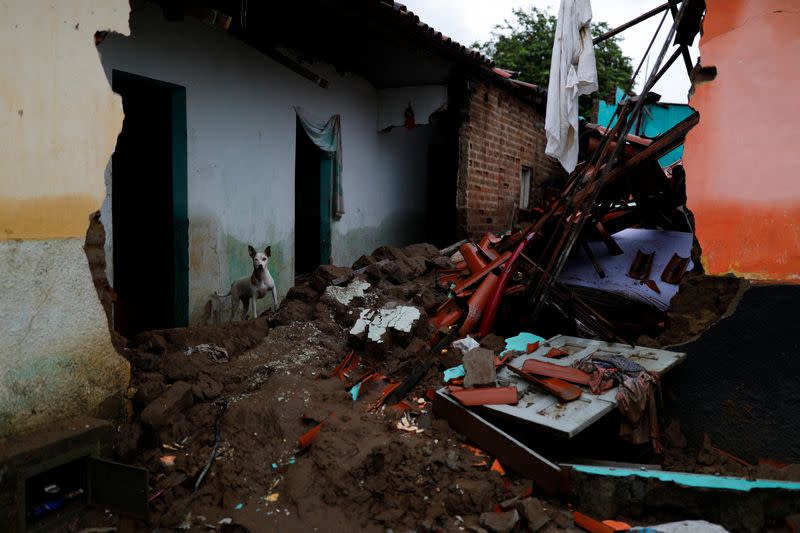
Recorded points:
(50, 475)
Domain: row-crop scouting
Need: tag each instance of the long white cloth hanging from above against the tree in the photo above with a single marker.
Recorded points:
(573, 72)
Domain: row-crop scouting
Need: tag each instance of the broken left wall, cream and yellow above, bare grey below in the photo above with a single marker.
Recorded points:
(59, 121)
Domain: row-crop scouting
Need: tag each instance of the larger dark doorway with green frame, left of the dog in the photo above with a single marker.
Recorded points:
(149, 206)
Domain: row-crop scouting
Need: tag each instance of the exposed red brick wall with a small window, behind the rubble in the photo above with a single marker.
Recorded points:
(499, 134)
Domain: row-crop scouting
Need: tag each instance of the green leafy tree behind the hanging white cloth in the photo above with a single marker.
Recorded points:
(525, 45)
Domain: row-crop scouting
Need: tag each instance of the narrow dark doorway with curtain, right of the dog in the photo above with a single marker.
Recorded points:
(312, 204)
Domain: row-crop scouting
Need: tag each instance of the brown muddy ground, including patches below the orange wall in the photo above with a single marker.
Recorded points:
(361, 473)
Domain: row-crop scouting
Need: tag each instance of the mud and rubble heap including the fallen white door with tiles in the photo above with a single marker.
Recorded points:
(330, 408)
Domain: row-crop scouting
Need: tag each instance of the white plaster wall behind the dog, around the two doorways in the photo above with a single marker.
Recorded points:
(241, 151)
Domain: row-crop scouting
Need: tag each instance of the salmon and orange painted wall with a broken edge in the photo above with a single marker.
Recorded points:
(743, 160)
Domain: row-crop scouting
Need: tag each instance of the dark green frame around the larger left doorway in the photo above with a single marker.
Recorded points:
(180, 204)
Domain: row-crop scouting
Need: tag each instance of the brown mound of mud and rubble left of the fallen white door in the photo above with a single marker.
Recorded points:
(251, 421)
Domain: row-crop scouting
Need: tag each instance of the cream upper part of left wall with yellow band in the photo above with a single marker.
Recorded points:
(58, 117)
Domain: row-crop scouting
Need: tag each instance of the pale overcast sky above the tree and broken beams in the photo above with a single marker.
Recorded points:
(468, 21)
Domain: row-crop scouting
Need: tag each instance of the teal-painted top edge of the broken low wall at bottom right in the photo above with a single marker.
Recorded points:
(703, 481)
